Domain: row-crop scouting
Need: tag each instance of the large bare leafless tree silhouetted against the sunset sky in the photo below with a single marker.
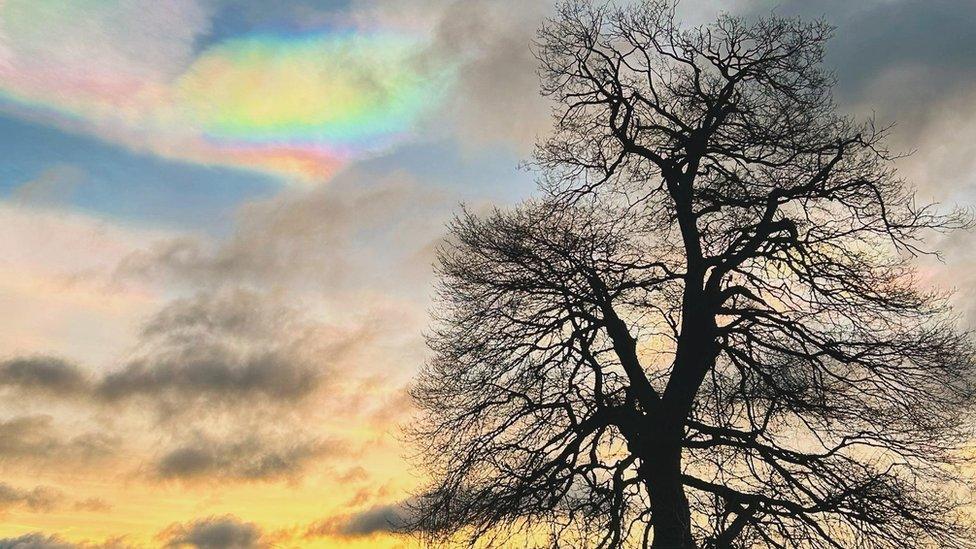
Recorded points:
(707, 331)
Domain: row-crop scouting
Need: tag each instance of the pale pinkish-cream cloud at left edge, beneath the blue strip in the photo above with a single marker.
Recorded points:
(55, 284)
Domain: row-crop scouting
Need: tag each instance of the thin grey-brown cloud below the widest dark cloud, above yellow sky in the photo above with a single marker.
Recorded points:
(251, 458)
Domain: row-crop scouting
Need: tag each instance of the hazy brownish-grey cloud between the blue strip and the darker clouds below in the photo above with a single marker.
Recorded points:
(359, 232)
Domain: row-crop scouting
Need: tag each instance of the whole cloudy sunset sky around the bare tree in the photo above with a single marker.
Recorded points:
(217, 225)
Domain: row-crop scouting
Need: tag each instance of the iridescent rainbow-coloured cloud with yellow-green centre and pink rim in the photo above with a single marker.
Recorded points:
(299, 105)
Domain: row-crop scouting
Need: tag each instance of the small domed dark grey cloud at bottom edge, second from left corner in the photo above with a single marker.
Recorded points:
(225, 532)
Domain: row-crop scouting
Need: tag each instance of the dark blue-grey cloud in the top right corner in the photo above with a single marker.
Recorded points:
(904, 60)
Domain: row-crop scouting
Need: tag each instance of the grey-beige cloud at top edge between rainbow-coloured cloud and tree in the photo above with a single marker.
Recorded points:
(493, 98)
